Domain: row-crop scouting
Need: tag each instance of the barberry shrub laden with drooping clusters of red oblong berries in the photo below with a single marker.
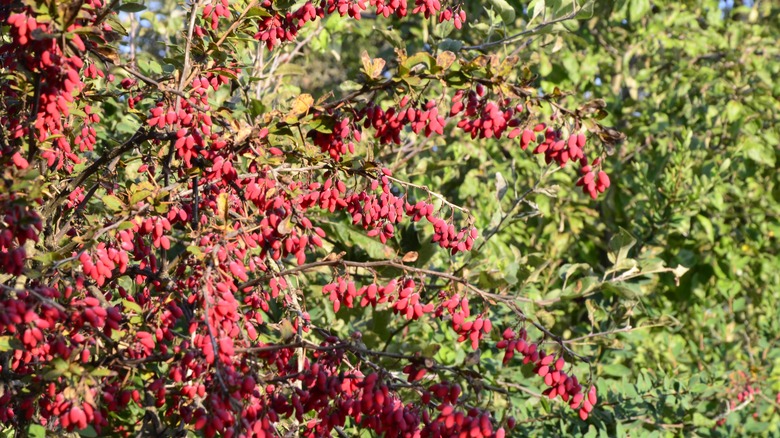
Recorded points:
(257, 218)
